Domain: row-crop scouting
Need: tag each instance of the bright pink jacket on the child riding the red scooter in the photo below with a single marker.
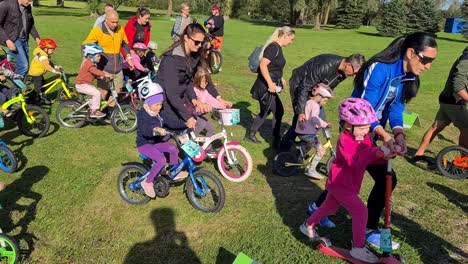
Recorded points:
(349, 166)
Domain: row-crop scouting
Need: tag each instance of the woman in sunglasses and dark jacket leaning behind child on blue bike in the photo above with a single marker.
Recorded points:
(176, 71)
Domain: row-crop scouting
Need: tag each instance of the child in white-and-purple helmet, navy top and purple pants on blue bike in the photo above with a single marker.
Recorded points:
(150, 134)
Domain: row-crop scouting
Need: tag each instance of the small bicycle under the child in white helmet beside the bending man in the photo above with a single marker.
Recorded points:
(287, 163)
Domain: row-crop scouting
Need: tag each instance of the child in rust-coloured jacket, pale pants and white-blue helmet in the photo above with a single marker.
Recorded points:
(88, 72)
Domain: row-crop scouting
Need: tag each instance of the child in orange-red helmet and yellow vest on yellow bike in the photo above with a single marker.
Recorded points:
(40, 64)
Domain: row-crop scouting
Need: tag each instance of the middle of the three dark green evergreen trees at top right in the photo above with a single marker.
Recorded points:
(393, 19)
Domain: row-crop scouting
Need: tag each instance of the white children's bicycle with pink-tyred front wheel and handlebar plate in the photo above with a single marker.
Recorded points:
(234, 161)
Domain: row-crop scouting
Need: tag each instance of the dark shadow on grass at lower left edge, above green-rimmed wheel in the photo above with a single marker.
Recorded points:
(10, 197)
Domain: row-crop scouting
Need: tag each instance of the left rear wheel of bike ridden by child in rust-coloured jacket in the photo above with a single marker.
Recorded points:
(68, 114)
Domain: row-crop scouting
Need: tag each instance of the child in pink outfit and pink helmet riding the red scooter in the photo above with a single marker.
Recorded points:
(354, 152)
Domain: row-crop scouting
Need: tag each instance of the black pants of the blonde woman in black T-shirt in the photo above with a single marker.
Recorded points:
(272, 104)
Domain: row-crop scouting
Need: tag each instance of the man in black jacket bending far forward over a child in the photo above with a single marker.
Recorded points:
(326, 68)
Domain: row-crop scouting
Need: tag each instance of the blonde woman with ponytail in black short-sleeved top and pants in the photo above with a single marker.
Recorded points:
(269, 83)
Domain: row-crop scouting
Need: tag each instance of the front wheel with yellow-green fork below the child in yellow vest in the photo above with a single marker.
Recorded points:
(40, 124)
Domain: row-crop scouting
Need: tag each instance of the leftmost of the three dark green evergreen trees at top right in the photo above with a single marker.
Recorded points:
(350, 14)
